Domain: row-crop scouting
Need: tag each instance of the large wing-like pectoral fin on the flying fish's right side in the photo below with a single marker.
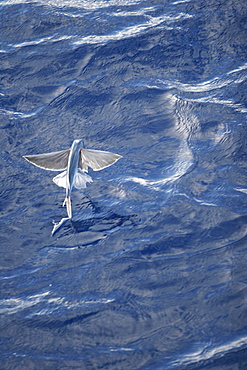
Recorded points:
(96, 159)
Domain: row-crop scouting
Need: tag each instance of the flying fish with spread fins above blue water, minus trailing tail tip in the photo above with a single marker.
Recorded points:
(74, 163)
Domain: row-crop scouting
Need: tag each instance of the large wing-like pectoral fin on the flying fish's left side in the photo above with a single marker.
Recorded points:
(56, 161)
